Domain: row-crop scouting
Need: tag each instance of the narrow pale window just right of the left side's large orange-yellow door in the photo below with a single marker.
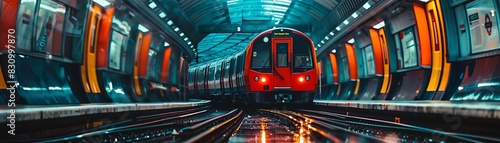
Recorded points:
(115, 49)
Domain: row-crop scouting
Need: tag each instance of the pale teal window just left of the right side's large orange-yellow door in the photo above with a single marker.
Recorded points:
(406, 48)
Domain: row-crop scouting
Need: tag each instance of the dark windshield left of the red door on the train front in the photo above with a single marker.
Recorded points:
(261, 58)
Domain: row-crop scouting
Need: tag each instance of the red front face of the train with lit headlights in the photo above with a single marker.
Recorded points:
(280, 68)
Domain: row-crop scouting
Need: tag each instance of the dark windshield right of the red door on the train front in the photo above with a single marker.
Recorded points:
(302, 58)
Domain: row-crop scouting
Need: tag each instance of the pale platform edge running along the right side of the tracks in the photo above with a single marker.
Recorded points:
(480, 109)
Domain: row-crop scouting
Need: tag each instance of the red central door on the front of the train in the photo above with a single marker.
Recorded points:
(281, 74)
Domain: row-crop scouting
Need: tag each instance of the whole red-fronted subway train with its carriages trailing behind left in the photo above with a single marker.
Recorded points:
(278, 66)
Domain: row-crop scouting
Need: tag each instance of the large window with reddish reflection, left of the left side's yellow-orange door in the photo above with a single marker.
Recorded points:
(49, 27)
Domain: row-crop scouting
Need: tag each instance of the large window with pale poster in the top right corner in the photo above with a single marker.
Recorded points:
(483, 25)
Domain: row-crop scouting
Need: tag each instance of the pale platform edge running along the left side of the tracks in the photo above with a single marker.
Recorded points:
(37, 112)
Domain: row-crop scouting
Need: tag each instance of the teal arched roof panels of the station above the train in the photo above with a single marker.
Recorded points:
(317, 13)
